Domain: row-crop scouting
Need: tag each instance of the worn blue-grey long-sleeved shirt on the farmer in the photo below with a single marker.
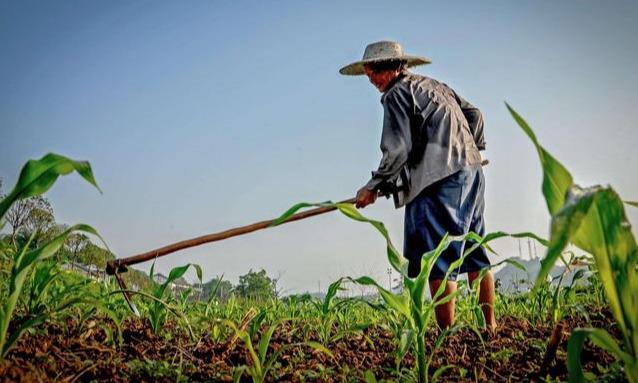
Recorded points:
(428, 128)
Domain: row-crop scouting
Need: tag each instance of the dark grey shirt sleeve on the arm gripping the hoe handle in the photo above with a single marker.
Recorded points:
(395, 138)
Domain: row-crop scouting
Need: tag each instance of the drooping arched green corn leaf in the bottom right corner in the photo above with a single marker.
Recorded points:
(602, 339)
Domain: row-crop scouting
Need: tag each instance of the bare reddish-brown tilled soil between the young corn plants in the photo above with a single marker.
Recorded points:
(62, 353)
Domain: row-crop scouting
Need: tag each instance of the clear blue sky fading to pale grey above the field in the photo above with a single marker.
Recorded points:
(201, 116)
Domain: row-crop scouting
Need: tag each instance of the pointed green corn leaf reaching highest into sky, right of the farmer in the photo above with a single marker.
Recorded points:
(556, 178)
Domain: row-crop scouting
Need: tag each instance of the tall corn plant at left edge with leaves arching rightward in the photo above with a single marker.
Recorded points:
(36, 177)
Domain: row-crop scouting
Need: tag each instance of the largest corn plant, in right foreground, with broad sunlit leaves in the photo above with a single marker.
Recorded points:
(594, 220)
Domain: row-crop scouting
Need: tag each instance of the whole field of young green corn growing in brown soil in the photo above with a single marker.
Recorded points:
(56, 325)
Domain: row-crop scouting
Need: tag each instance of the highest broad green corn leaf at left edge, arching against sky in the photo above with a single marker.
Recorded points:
(37, 176)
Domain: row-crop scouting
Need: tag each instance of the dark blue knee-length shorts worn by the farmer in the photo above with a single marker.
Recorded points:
(454, 205)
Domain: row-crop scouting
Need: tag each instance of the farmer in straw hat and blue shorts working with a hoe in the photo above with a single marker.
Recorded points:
(430, 142)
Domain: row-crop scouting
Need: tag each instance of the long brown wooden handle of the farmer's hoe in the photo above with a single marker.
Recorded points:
(119, 265)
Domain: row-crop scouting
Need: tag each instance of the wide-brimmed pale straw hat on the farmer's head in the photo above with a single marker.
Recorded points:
(382, 51)
